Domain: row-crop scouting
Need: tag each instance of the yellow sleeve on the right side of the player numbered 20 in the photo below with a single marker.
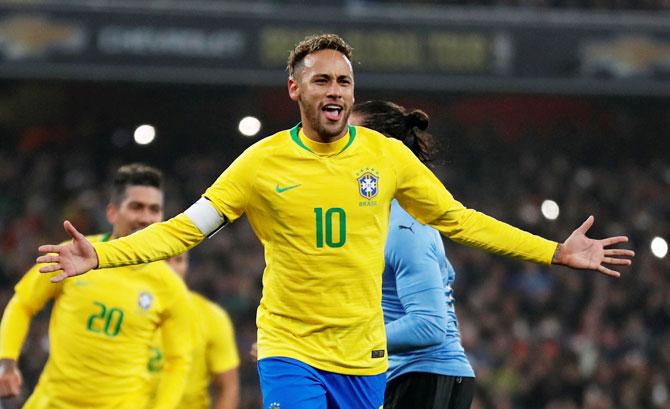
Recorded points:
(176, 334)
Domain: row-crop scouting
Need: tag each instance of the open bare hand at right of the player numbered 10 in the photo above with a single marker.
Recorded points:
(581, 252)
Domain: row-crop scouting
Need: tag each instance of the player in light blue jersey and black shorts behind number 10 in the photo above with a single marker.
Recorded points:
(427, 363)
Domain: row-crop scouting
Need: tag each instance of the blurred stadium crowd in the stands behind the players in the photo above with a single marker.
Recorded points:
(537, 337)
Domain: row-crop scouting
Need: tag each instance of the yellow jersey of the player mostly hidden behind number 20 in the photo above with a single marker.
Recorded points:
(214, 352)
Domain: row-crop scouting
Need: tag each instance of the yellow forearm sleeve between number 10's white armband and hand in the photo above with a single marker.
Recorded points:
(158, 241)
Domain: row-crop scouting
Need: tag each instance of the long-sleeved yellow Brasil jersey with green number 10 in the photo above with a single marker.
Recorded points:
(321, 211)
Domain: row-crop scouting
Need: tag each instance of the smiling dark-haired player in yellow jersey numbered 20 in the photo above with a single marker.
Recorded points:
(102, 323)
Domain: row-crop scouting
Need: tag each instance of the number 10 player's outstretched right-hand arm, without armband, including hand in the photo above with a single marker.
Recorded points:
(424, 197)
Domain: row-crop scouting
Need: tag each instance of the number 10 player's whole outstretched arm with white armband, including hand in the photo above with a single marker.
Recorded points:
(223, 202)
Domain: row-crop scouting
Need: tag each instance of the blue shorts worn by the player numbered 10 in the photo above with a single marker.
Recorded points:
(290, 384)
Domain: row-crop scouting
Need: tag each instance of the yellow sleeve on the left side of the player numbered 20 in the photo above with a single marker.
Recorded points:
(31, 293)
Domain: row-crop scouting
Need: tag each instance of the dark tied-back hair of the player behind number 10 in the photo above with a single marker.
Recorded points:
(395, 122)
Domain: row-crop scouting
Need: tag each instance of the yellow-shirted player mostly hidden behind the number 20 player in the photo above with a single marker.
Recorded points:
(215, 356)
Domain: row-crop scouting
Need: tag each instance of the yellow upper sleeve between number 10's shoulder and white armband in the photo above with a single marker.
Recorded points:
(230, 192)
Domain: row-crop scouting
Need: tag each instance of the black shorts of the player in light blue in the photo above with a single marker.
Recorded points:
(419, 390)
